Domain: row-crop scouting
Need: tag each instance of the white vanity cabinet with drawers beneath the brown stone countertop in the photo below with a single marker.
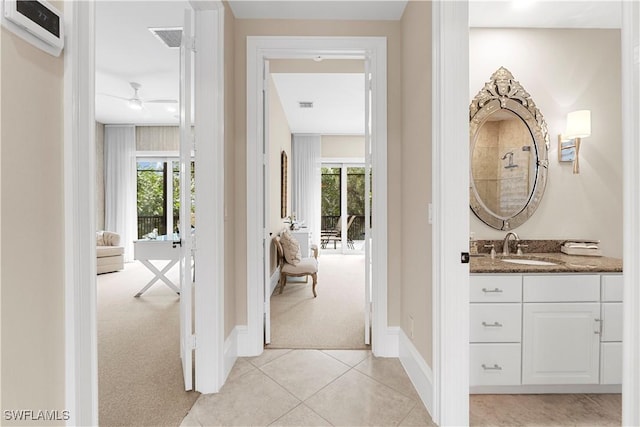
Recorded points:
(545, 330)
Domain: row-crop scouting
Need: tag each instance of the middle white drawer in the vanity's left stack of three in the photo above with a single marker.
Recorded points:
(495, 322)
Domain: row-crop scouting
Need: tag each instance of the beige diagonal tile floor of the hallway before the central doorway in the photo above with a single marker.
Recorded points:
(312, 388)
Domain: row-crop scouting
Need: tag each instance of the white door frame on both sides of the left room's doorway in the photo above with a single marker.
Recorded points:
(81, 353)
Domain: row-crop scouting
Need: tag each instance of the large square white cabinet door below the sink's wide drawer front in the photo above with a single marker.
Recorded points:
(561, 343)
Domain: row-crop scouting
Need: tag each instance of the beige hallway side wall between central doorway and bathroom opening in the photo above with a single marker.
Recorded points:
(416, 279)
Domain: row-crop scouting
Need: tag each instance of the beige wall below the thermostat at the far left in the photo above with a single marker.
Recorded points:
(32, 247)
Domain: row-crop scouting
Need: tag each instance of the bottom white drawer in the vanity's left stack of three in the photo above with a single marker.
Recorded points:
(494, 364)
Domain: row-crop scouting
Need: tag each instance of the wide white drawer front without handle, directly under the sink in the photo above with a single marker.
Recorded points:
(561, 288)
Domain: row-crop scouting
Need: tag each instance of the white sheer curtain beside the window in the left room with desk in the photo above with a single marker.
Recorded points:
(120, 184)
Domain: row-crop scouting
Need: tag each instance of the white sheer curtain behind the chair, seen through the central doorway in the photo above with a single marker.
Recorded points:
(305, 181)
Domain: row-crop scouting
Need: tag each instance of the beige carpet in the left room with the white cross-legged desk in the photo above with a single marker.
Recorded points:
(140, 374)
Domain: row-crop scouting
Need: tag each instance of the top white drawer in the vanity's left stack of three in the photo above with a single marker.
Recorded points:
(490, 288)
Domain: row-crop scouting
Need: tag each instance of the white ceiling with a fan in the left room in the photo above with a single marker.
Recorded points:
(126, 51)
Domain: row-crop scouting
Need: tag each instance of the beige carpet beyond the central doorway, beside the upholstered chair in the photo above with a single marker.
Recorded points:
(333, 320)
